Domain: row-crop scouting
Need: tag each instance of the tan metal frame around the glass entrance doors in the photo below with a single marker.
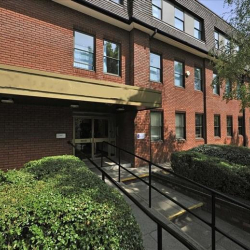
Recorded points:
(92, 140)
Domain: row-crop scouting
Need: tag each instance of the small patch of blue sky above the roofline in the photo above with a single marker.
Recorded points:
(218, 7)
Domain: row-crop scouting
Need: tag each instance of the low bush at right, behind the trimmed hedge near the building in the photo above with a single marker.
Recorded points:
(234, 154)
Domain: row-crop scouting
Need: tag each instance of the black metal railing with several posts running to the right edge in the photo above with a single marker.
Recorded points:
(212, 192)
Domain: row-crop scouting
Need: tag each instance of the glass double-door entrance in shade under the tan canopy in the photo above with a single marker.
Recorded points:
(90, 132)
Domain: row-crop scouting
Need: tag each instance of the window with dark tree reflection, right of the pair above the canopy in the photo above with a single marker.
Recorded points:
(111, 58)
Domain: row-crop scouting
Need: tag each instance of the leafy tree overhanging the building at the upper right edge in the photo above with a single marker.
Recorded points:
(232, 61)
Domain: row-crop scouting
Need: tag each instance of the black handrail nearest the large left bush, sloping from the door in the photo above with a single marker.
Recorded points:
(160, 225)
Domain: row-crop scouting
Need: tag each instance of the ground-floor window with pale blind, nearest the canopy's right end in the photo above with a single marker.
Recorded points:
(156, 126)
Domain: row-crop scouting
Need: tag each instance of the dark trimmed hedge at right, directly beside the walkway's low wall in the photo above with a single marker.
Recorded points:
(213, 172)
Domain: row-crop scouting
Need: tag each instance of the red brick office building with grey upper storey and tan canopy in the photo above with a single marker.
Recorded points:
(88, 71)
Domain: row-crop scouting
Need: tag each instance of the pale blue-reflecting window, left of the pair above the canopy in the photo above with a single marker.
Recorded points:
(84, 51)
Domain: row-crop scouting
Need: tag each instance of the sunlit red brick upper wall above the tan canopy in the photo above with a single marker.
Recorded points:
(41, 37)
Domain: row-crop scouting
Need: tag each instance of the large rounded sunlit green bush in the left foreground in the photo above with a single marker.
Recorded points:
(57, 203)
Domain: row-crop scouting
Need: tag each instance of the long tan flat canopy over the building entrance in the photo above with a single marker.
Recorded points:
(34, 83)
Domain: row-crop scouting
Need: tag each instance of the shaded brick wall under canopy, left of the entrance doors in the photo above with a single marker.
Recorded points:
(28, 132)
